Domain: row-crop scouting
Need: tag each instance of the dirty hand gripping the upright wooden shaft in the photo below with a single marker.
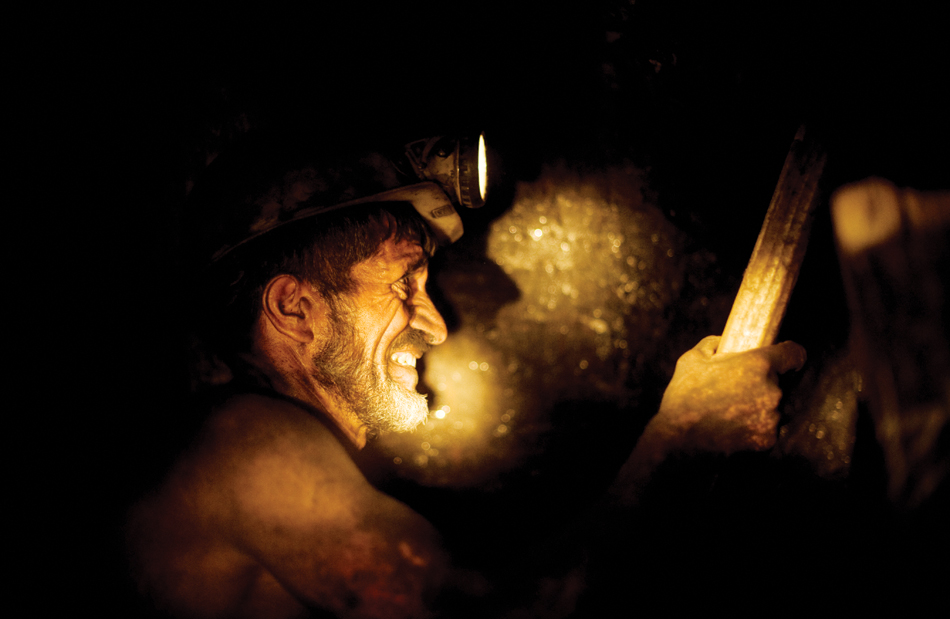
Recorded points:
(724, 403)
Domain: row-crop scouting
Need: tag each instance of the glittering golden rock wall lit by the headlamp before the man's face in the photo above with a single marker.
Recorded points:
(558, 310)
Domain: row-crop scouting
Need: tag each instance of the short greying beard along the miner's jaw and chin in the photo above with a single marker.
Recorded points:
(371, 394)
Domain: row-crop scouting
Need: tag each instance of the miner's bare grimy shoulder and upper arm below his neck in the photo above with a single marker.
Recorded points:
(270, 505)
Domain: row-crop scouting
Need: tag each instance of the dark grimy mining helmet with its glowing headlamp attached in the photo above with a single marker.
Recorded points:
(263, 186)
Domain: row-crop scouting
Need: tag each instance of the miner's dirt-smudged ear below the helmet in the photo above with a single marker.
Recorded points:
(292, 307)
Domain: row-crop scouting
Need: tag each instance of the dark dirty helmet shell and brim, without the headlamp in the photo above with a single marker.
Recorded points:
(265, 184)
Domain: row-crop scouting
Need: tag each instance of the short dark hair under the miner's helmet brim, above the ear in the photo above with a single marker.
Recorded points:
(321, 251)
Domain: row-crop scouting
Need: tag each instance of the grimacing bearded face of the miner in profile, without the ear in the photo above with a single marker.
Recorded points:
(377, 332)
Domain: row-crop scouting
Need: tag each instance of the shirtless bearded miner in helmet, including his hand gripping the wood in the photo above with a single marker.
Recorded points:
(314, 282)
